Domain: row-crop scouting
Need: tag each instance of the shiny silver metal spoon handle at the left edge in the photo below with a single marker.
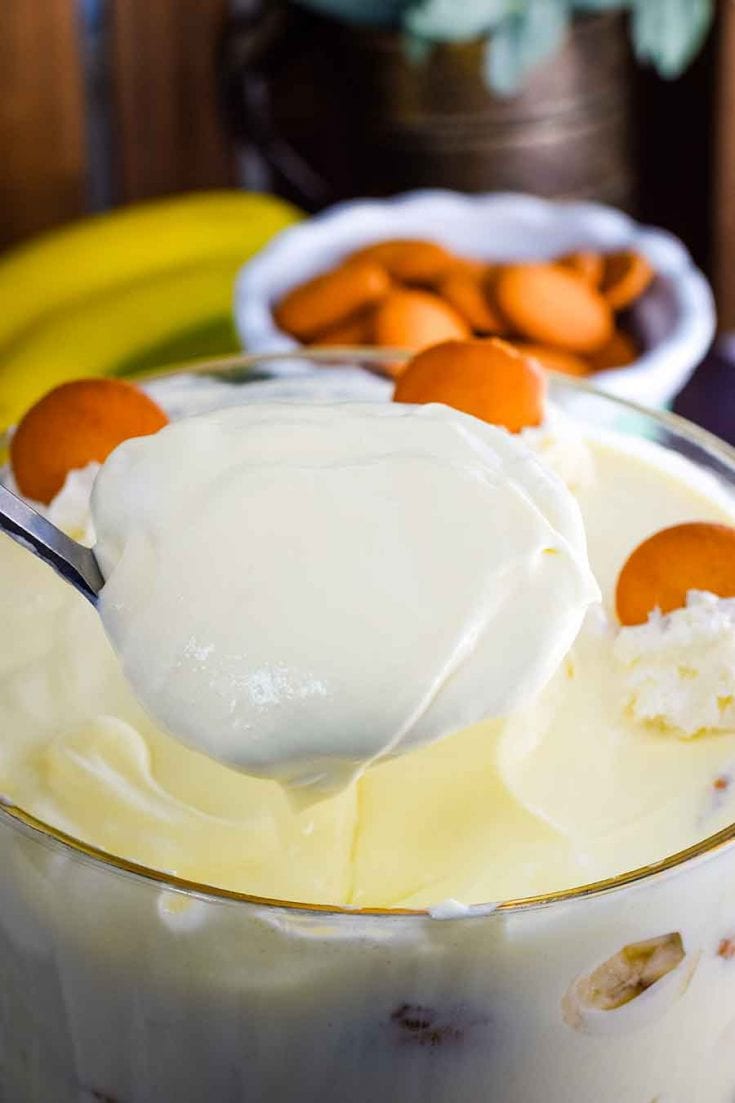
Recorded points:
(74, 562)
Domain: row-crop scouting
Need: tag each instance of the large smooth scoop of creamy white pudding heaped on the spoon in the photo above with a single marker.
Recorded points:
(299, 591)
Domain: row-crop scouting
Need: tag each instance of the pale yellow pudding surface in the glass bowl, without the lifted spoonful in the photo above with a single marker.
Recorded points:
(587, 780)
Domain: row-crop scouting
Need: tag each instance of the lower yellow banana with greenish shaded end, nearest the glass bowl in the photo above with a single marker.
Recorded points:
(173, 317)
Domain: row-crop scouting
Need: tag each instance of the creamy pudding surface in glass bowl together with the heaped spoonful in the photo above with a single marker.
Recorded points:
(576, 776)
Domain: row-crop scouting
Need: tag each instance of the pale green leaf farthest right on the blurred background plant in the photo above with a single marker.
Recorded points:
(668, 34)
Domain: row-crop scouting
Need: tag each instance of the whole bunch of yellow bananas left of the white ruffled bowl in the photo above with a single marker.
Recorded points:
(120, 293)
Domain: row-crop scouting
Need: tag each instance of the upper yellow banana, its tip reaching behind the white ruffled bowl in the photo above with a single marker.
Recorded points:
(108, 251)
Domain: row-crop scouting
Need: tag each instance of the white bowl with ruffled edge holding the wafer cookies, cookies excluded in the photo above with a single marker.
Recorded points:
(675, 320)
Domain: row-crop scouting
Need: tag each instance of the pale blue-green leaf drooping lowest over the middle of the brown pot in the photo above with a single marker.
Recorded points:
(525, 40)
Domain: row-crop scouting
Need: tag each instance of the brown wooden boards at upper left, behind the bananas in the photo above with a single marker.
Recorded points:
(166, 130)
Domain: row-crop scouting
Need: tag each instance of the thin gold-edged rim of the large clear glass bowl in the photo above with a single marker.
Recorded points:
(18, 820)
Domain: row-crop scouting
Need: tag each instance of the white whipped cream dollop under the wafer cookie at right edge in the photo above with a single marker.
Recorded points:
(680, 668)
